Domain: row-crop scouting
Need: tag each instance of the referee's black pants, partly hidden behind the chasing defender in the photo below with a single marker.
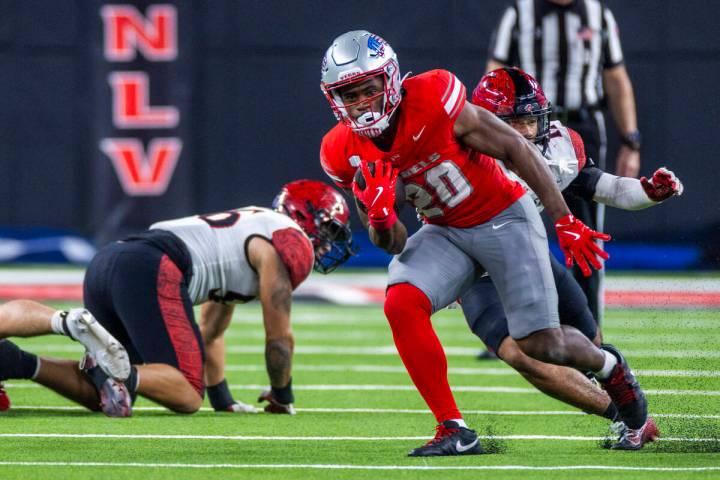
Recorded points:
(591, 127)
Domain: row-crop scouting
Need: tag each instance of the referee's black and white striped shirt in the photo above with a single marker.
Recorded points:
(564, 47)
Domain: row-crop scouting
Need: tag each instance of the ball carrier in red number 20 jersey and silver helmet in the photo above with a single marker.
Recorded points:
(443, 148)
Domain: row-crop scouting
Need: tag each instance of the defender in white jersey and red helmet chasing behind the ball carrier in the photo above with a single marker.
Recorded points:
(515, 97)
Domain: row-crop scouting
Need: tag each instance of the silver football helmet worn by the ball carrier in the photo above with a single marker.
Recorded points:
(355, 57)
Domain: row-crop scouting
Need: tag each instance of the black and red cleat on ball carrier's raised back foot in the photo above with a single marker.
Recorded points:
(624, 390)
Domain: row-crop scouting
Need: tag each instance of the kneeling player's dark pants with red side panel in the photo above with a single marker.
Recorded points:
(137, 290)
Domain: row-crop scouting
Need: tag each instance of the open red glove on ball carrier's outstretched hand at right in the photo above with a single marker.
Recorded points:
(577, 242)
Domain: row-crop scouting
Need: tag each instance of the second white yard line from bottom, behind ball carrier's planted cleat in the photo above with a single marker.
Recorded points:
(113, 436)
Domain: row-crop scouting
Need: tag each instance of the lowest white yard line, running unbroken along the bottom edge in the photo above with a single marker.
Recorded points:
(321, 466)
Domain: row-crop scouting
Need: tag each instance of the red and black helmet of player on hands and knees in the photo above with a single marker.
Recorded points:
(322, 212)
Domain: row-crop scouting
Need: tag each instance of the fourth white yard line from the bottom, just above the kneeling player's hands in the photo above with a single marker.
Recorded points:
(411, 388)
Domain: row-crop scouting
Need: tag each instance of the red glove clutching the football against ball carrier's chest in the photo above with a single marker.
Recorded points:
(379, 194)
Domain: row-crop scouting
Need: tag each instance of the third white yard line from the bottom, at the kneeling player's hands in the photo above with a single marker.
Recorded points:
(77, 408)
